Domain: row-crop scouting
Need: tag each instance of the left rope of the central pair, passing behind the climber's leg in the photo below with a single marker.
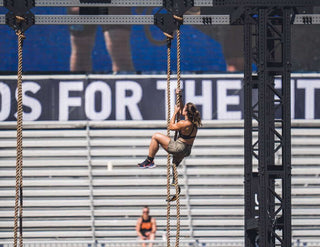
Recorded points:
(168, 134)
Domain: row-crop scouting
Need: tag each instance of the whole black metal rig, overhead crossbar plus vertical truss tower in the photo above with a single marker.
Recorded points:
(267, 121)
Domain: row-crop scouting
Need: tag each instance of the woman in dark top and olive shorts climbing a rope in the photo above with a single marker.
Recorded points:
(187, 130)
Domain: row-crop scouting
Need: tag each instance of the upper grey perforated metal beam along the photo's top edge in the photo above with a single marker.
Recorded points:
(114, 3)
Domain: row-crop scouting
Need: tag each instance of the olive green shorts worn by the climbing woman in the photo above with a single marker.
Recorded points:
(179, 150)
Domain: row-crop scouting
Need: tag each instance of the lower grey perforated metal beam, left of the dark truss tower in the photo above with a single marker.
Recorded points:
(122, 19)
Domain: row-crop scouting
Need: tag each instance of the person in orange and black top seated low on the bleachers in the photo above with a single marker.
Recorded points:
(146, 226)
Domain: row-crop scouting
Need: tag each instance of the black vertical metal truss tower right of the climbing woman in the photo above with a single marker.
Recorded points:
(267, 127)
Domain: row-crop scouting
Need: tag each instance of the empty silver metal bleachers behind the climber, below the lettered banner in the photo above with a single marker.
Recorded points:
(81, 182)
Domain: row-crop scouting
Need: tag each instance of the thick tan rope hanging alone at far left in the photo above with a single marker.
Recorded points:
(19, 186)
